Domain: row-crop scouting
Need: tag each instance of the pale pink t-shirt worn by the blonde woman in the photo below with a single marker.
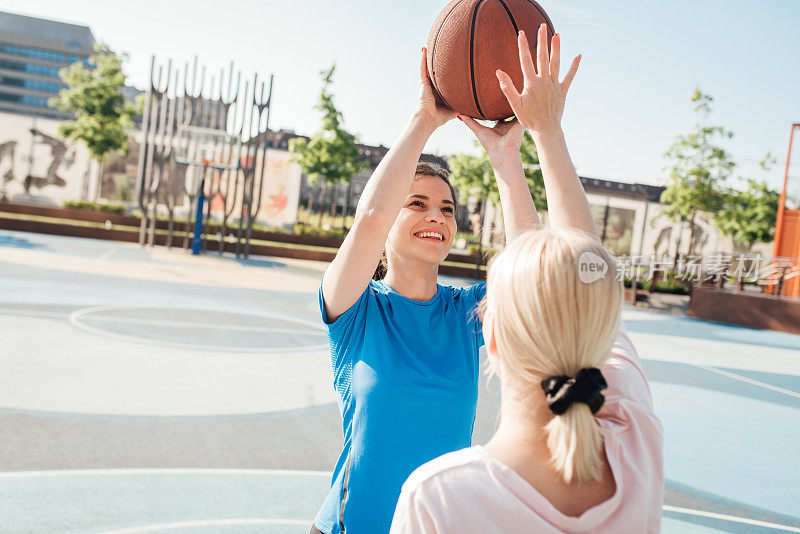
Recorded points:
(471, 491)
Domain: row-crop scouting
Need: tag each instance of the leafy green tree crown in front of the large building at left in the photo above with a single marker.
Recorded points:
(94, 96)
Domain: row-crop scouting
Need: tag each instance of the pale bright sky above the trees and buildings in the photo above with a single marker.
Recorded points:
(642, 60)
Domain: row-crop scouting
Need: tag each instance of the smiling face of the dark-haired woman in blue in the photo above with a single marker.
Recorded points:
(425, 227)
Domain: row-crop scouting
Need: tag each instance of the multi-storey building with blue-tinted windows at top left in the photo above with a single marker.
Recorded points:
(32, 51)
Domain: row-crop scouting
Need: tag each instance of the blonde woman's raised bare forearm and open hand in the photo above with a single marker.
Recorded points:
(539, 108)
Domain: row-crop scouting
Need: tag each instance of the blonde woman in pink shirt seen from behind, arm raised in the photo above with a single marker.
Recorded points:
(578, 448)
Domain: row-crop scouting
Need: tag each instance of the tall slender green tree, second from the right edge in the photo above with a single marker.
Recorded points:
(698, 168)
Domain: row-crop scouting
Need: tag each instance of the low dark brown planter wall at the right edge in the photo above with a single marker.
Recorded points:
(754, 310)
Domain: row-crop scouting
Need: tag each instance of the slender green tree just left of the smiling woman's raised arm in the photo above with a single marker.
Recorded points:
(332, 154)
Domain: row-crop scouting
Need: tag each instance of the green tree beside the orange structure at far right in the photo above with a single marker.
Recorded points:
(749, 216)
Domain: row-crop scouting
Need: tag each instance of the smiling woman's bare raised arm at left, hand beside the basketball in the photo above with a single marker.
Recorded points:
(380, 202)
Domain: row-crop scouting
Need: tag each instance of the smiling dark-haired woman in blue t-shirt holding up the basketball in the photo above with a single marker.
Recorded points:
(404, 348)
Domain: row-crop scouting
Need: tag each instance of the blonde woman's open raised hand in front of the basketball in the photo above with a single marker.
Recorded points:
(541, 104)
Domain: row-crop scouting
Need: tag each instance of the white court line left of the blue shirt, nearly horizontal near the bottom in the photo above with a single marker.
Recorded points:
(162, 471)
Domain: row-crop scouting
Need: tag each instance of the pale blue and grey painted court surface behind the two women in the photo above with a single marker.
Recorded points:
(144, 390)
